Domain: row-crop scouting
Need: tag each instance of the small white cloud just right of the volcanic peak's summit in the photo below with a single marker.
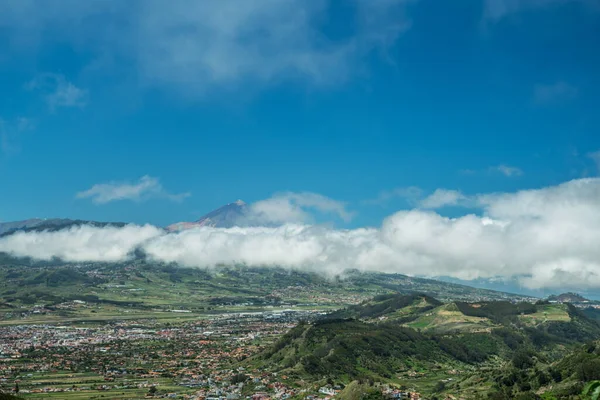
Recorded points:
(291, 208)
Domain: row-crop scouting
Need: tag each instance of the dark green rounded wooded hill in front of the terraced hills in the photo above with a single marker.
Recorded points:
(350, 349)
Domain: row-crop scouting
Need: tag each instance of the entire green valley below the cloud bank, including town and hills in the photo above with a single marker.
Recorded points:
(138, 329)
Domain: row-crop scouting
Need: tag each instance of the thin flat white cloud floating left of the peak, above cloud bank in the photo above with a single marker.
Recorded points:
(147, 187)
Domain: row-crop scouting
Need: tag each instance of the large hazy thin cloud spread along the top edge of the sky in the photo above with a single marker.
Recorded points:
(194, 45)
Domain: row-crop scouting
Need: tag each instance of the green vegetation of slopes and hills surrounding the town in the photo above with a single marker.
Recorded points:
(487, 348)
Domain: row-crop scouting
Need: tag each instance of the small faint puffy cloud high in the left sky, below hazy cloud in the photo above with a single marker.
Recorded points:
(58, 91)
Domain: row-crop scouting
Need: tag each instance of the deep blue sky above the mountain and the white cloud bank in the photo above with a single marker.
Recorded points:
(355, 100)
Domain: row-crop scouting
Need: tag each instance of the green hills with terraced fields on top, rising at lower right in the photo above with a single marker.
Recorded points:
(416, 340)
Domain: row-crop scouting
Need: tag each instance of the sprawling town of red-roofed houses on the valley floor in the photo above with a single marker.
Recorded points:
(196, 356)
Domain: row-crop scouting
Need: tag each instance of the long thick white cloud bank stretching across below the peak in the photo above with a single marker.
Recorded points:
(545, 237)
